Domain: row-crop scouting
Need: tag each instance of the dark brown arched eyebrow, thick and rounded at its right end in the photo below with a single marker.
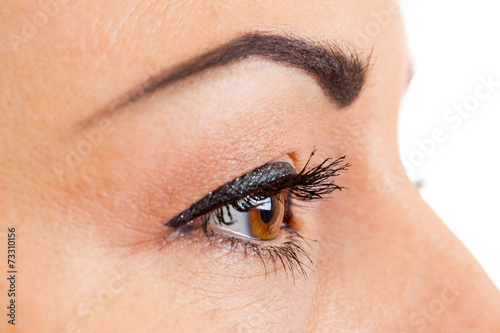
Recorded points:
(339, 71)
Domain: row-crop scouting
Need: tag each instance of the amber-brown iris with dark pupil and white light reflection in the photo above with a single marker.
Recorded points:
(265, 220)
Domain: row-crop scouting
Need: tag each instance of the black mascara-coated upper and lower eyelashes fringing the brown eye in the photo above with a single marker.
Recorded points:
(312, 183)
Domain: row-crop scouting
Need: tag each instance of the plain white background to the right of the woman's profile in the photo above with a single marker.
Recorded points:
(453, 44)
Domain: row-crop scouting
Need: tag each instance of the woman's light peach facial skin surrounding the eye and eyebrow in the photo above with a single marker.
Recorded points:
(92, 252)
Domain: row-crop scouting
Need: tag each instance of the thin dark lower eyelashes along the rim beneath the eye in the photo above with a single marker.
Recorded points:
(290, 253)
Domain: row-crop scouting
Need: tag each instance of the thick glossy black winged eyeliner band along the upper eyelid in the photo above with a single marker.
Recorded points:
(270, 174)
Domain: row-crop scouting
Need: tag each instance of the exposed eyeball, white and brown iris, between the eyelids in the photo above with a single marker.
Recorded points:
(262, 221)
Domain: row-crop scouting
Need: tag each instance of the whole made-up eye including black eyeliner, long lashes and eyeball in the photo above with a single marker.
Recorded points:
(275, 182)
